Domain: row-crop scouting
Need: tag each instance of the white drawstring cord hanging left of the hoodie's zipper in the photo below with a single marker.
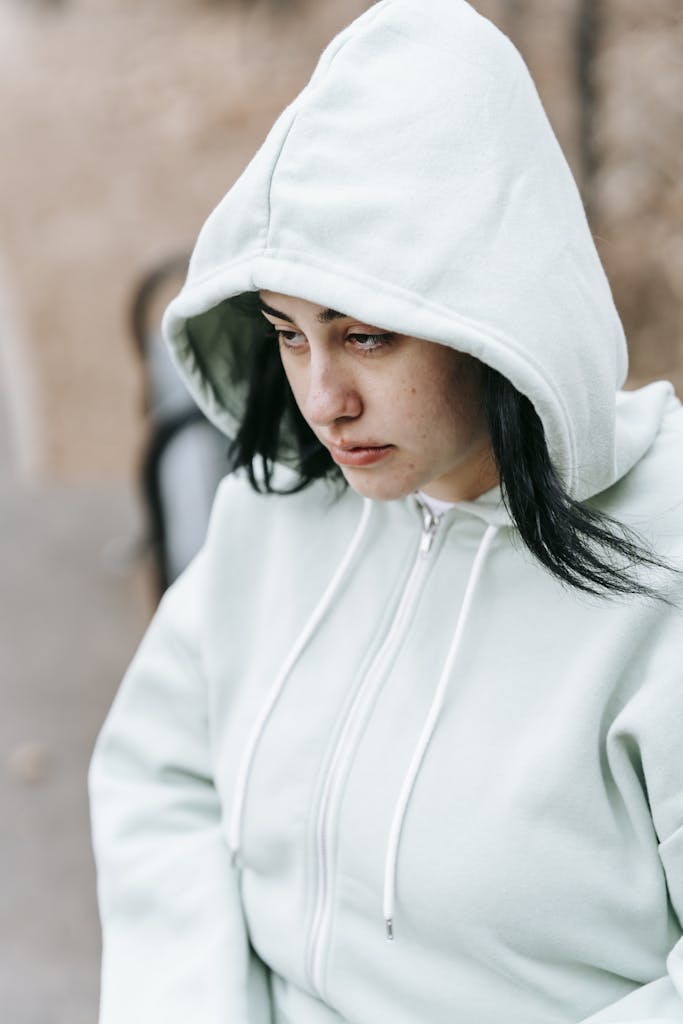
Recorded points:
(235, 831)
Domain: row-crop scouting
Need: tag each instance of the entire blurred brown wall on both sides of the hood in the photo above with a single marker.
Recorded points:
(122, 122)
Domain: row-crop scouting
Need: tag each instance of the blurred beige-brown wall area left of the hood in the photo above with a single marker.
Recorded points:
(121, 125)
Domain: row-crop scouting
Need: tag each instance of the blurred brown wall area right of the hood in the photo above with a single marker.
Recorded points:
(635, 192)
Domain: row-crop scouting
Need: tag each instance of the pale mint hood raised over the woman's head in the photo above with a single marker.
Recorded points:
(416, 185)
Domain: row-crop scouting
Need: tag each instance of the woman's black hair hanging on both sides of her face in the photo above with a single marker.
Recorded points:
(580, 545)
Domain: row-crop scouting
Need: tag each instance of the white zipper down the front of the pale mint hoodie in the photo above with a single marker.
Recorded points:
(348, 742)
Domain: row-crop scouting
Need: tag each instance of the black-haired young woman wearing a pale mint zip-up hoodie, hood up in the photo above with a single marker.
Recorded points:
(404, 744)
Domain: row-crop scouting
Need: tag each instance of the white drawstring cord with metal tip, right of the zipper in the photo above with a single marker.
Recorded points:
(426, 736)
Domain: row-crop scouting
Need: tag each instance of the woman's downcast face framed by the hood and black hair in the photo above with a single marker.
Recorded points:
(397, 413)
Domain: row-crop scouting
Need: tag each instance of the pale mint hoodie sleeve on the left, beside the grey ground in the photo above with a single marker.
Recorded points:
(175, 942)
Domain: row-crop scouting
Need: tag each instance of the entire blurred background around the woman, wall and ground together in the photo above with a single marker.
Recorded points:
(122, 123)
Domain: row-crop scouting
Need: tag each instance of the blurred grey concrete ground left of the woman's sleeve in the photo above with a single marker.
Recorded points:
(73, 606)
